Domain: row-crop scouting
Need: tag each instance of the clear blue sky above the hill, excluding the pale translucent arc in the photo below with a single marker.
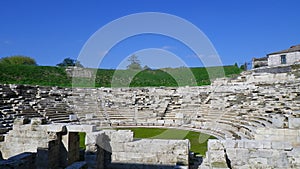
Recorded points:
(52, 30)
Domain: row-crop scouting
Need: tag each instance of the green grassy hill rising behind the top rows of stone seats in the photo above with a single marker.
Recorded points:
(57, 76)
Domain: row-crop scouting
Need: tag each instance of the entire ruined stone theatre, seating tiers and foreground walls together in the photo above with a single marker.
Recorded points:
(254, 116)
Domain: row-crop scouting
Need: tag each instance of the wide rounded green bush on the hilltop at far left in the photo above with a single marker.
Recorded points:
(18, 60)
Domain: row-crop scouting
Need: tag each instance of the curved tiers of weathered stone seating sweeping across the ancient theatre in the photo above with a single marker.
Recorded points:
(229, 108)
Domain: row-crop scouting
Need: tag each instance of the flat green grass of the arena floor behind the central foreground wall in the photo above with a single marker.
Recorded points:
(199, 147)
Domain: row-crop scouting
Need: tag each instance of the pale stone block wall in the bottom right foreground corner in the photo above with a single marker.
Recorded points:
(239, 154)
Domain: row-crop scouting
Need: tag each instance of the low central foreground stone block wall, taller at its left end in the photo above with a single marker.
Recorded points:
(119, 150)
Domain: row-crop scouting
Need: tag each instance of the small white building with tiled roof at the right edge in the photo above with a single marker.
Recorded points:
(284, 57)
